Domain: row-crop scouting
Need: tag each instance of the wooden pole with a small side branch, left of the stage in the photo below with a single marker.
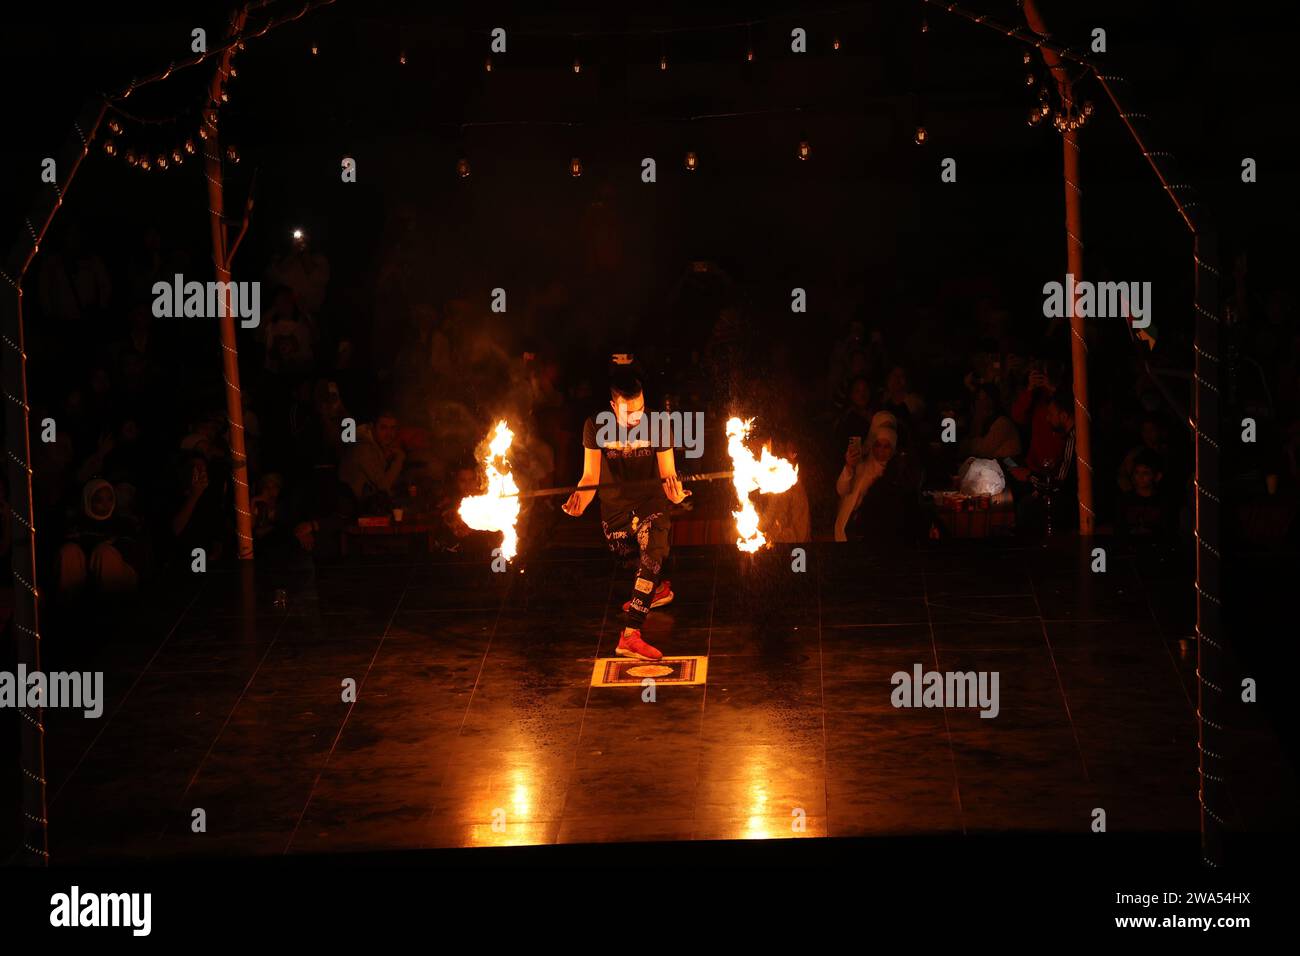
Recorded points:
(223, 253)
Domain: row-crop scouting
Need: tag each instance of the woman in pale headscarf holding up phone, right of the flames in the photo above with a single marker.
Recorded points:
(878, 488)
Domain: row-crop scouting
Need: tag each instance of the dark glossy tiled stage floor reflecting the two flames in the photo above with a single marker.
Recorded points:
(476, 724)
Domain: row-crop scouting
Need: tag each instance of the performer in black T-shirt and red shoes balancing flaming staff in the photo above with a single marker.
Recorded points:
(634, 504)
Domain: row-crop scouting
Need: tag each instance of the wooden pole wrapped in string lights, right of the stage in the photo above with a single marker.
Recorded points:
(1074, 261)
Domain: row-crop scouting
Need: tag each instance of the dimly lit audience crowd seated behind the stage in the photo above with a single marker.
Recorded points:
(132, 448)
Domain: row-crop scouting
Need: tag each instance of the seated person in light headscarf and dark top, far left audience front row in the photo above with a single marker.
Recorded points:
(97, 550)
